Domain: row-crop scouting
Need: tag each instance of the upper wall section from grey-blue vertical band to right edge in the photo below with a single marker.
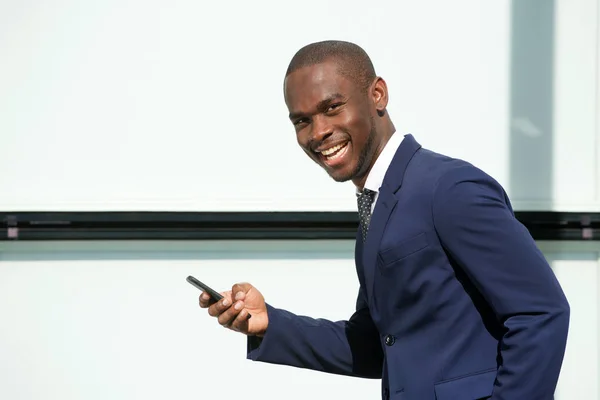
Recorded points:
(554, 141)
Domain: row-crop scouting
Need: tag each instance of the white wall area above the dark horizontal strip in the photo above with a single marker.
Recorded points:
(136, 104)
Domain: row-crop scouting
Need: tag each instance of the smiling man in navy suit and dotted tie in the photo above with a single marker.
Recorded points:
(455, 300)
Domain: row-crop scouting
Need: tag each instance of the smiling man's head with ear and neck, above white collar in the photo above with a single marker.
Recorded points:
(330, 108)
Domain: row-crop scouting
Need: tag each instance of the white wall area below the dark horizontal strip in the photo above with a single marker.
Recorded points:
(98, 320)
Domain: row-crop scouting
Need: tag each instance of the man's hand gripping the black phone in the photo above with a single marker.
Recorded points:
(233, 310)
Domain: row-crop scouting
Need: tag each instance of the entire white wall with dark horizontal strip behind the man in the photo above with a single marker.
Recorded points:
(144, 141)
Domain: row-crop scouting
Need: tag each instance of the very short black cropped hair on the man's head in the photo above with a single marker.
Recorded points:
(353, 61)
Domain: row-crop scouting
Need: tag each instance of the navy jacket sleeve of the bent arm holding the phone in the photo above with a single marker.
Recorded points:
(350, 347)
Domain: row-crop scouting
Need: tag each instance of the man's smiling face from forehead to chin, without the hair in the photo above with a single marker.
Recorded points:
(334, 120)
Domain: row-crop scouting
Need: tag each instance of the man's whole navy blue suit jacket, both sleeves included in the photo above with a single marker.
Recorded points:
(455, 301)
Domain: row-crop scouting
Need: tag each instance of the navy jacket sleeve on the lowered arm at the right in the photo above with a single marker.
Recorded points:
(479, 231)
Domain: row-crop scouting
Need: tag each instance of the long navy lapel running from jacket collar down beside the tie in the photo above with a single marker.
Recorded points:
(386, 203)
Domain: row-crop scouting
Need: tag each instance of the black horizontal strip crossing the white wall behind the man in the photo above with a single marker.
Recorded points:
(244, 225)
